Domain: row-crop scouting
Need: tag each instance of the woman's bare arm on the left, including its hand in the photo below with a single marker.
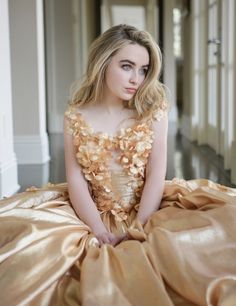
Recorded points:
(79, 194)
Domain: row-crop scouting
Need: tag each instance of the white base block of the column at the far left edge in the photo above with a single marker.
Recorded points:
(8, 178)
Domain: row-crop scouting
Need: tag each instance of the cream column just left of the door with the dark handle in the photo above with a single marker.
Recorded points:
(195, 73)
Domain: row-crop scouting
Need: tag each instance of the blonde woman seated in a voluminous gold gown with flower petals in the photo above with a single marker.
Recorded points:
(102, 239)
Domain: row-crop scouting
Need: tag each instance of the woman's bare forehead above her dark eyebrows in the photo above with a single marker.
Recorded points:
(134, 53)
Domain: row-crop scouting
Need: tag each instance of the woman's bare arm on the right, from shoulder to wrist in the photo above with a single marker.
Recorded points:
(155, 172)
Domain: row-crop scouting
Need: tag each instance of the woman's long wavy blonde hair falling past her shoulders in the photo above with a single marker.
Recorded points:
(150, 97)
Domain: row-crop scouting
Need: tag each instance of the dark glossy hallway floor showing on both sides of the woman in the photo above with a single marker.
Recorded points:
(186, 160)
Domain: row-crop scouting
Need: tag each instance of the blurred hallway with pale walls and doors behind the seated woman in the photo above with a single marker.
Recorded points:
(46, 45)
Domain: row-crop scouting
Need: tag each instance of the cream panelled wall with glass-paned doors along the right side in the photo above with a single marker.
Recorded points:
(209, 107)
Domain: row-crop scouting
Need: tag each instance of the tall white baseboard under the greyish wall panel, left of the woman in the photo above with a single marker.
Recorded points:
(31, 149)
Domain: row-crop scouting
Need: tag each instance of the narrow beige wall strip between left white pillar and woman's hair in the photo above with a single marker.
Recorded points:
(60, 59)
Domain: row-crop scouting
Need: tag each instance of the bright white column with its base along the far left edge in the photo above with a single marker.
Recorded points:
(8, 165)
